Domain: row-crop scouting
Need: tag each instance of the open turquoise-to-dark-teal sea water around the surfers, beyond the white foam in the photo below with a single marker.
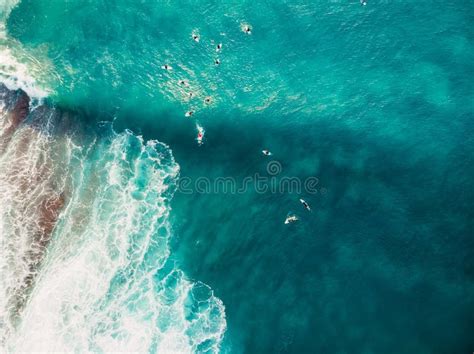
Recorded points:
(375, 101)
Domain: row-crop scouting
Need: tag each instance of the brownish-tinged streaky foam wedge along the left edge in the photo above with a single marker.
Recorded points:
(32, 178)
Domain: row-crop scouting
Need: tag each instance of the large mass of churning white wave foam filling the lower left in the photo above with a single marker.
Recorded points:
(84, 232)
